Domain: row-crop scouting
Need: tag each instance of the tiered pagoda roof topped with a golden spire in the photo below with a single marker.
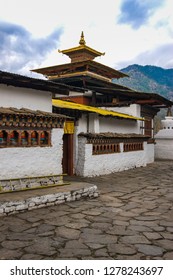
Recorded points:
(82, 65)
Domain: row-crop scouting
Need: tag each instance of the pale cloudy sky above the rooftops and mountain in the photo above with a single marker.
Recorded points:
(128, 31)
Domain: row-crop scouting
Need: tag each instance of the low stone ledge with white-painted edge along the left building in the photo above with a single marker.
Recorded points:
(11, 203)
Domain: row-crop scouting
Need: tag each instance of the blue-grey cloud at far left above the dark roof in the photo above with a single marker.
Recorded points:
(19, 50)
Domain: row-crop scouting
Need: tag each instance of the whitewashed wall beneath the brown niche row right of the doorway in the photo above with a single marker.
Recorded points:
(94, 165)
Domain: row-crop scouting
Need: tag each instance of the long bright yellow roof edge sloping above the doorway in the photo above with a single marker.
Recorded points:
(76, 106)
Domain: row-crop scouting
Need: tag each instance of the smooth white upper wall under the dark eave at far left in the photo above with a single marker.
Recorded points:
(27, 98)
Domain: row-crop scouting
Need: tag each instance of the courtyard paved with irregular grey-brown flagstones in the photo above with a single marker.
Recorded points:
(131, 219)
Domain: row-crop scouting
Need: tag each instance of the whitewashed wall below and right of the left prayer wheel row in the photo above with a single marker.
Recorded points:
(36, 161)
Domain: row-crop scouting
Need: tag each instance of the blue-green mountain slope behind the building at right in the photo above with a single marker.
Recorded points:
(148, 79)
